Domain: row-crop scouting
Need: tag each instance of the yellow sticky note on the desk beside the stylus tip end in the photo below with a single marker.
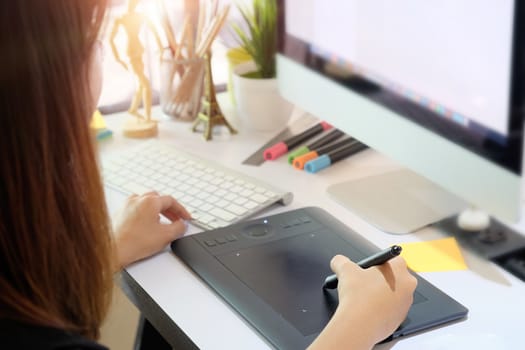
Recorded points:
(437, 255)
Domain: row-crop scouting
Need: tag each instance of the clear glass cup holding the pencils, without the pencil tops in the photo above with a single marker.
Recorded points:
(181, 87)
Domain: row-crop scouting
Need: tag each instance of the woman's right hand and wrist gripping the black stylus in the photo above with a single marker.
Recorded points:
(372, 304)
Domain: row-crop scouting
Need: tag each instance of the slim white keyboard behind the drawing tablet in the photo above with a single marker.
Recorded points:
(214, 195)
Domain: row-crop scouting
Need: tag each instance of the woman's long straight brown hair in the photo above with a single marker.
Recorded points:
(55, 245)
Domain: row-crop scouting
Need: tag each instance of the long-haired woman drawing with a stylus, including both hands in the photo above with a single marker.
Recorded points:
(57, 251)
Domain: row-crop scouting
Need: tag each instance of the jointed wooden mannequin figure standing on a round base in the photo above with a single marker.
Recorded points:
(132, 22)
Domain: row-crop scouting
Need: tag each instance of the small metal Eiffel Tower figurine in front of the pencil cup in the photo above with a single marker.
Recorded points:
(210, 113)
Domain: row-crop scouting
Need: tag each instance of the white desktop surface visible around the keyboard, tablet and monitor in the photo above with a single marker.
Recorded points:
(495, 298)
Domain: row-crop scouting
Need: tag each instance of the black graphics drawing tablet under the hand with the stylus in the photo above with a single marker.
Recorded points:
(271, 270)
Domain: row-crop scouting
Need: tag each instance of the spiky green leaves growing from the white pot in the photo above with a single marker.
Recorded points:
(260, 38)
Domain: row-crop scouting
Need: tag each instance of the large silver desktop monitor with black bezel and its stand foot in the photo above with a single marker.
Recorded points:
(436, 86)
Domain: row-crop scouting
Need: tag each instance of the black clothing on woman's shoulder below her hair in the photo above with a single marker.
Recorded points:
(15, 335)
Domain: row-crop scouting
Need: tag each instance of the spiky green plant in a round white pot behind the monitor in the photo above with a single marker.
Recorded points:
(257, 98)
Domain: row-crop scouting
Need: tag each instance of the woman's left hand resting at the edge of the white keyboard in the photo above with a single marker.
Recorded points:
(138, 230)
